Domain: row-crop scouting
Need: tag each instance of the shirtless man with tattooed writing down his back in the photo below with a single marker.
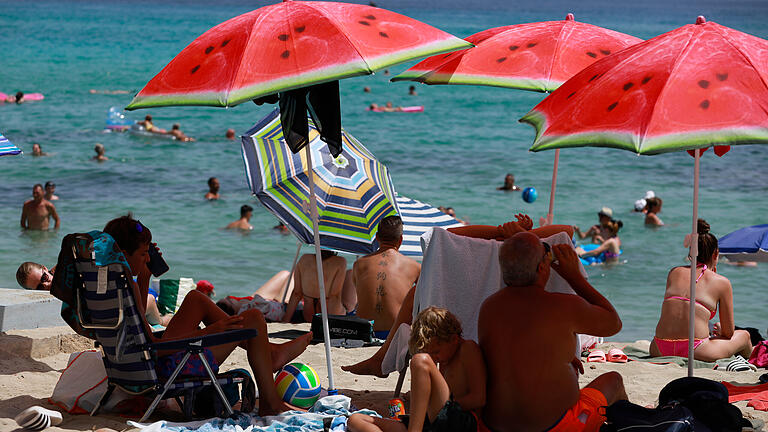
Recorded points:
(383, 278)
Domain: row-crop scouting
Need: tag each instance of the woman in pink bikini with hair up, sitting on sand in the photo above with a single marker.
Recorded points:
(712, 290)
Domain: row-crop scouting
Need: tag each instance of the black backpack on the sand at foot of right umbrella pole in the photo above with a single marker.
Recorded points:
(685, 404)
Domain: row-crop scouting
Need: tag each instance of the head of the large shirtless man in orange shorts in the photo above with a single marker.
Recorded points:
(519, 267)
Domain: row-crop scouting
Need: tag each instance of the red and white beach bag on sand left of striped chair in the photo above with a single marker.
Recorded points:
(82, 383)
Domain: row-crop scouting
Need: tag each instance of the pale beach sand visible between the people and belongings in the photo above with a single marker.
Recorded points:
(30, 371)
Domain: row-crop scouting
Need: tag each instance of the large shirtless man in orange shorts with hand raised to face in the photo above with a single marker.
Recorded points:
(533, 396)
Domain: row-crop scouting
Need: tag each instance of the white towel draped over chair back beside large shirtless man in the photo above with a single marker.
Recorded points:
(458, 273)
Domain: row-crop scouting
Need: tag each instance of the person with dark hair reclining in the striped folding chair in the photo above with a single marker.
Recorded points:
(264, 358)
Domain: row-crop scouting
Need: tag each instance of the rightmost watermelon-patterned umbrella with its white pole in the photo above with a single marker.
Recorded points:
(697, 86)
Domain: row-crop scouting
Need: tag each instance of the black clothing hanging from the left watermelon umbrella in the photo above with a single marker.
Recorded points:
(321, 101)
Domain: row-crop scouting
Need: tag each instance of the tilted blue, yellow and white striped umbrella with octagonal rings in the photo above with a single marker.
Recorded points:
(354, 190)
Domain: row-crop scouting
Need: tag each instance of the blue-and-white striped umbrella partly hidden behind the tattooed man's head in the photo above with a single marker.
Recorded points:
(418, 218)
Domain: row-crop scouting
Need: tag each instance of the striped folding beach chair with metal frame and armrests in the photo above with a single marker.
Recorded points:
(105, 308)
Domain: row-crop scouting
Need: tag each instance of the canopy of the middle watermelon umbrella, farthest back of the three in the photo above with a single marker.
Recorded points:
(536, 56)
